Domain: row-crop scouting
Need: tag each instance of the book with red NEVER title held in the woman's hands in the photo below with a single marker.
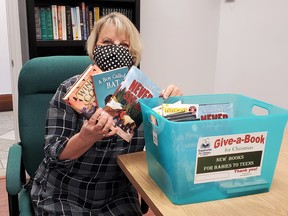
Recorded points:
(123, 105)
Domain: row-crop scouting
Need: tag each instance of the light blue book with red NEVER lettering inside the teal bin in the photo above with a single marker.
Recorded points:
(215, 111)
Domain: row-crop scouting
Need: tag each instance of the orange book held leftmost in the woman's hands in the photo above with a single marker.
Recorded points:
(81, 96)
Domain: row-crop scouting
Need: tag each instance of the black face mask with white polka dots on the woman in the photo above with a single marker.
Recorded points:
(112, 56)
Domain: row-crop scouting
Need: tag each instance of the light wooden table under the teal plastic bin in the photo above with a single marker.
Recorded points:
(273, 203)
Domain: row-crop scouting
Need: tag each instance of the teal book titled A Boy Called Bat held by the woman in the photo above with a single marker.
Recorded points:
(106, 83)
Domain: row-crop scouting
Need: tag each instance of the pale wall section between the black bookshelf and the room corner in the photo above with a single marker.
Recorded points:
(180, 43)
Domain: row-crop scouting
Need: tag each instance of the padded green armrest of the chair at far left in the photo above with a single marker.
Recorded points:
(13, 170)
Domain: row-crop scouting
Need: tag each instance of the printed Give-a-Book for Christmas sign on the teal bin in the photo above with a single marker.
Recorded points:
(229, 157)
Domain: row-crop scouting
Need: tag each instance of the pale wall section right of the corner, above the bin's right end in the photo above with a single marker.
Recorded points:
(253, 50)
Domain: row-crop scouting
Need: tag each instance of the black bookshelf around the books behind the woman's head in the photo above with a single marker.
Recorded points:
(48, 47)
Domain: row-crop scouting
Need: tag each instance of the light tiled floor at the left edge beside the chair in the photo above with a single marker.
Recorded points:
(7, 138)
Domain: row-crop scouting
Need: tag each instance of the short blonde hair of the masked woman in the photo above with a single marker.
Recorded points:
(122, 24)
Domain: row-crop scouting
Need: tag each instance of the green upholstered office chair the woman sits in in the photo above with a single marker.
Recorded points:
(38, 81)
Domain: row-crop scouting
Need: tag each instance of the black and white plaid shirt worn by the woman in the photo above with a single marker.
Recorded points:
(92, 184)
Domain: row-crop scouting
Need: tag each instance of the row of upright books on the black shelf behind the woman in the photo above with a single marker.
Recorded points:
(64, 22)
